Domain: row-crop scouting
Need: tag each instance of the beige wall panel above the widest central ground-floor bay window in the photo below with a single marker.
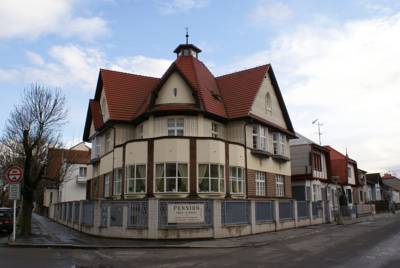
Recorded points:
(171, 150)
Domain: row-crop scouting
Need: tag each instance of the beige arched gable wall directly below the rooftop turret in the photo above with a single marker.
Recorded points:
(166, 93)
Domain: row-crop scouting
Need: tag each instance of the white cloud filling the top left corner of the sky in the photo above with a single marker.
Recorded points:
(31, 19)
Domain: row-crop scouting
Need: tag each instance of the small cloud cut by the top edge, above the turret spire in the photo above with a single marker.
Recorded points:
(167, 7)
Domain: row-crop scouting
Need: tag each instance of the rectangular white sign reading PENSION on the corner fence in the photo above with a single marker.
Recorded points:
(185, 213)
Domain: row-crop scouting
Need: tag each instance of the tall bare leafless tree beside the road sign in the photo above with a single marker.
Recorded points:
(32, 128)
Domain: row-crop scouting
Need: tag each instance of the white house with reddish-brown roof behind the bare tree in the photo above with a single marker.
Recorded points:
(70, 168)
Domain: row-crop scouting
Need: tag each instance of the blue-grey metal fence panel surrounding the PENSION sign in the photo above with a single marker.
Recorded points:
(163, 214)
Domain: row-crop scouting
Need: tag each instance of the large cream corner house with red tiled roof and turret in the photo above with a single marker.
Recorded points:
(189, 134)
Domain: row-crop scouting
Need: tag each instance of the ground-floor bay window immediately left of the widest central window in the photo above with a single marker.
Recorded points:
(135, 179)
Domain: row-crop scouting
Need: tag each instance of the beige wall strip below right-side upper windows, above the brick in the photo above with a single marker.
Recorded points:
(268, 164)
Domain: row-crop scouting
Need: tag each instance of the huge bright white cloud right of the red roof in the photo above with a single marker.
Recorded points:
(347, 76)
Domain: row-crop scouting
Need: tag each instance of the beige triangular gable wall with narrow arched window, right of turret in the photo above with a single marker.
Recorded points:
(271, 112)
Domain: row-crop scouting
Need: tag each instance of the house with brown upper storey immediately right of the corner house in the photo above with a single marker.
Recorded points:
(310, 165)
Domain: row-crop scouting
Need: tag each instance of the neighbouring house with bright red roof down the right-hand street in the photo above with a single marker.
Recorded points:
(344, 169)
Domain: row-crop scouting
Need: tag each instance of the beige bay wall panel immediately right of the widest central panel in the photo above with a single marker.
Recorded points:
(210, 151)
